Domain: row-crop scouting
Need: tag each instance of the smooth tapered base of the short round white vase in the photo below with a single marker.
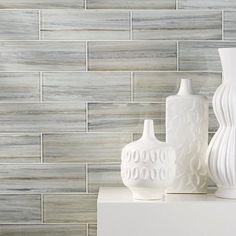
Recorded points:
(147, 194)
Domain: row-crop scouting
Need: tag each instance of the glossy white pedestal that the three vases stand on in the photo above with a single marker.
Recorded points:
(176, 215)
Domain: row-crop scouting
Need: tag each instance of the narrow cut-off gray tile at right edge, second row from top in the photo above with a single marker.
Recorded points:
(230, 25)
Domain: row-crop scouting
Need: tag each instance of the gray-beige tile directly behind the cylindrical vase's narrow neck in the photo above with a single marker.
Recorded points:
(156, 86)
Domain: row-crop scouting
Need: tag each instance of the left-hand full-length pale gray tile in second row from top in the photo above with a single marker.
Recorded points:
(84, 25)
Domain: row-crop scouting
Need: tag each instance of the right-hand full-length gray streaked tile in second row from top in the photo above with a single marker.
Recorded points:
(177, 25)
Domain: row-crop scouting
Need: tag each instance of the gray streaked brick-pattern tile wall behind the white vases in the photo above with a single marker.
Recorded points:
(77, 79)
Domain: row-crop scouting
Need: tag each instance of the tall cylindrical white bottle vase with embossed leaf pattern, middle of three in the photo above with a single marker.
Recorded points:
(187, 132)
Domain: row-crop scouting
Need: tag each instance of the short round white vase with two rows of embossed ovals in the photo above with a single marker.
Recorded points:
(148, 165)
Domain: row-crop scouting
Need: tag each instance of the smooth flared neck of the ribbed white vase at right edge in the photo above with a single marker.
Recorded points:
(228, 59)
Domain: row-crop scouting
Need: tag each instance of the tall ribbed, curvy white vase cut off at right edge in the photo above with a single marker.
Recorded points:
(222, 148)
